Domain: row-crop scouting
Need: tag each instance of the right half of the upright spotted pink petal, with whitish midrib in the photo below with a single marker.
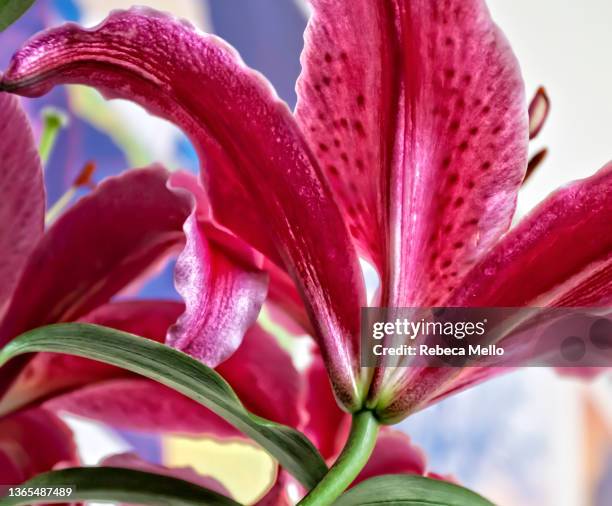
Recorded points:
(464, 142)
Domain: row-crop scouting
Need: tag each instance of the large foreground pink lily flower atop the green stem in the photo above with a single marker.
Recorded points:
(408, 147)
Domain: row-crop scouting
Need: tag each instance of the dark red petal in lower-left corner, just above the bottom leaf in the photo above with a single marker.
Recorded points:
(31, 442)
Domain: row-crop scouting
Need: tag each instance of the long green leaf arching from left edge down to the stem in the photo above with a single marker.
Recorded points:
(182, 373)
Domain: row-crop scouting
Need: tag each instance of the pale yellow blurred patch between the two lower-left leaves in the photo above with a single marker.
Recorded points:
(245, 470)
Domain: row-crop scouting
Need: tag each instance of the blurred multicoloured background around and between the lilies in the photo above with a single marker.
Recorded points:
(529, 438)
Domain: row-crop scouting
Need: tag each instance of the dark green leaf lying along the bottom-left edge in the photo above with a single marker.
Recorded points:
(119, 485)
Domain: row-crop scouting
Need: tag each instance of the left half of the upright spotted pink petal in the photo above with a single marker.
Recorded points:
(347, 92)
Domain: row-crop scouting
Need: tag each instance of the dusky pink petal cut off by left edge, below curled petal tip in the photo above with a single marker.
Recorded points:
(22, 195)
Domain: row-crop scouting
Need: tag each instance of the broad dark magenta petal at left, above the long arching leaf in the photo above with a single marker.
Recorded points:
(97, 247)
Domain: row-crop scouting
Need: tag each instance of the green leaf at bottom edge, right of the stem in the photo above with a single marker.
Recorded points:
(404, 489)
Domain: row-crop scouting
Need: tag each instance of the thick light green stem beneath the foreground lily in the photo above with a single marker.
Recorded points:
(351, 461)
